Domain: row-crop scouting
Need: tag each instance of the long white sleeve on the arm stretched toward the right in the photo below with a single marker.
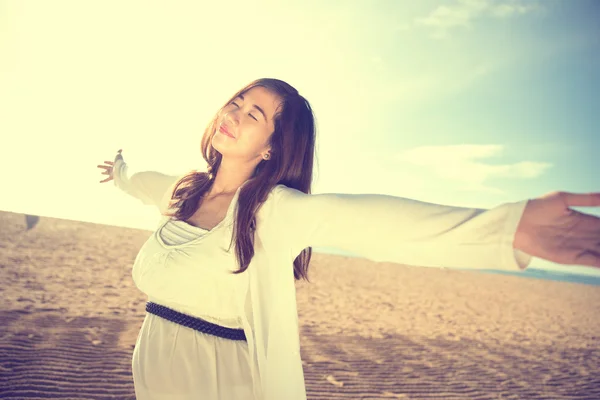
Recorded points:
(400, 230)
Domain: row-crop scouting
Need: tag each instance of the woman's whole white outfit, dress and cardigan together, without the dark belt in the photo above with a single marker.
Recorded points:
(178, 363)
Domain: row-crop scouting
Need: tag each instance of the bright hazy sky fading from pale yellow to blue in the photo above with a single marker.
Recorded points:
(471, 103)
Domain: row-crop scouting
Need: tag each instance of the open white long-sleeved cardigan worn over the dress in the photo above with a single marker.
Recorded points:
(378, 227)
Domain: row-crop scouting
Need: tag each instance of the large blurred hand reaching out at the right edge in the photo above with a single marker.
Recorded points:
(550, 230)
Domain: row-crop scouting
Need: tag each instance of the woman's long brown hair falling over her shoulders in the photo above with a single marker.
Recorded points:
(291, 164)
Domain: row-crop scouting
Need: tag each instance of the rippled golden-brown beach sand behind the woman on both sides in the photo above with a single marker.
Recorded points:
(71, 313)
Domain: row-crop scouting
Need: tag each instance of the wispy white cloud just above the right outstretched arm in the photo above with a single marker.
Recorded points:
(465, 164)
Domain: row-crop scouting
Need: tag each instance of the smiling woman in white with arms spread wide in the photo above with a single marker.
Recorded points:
(220, 268)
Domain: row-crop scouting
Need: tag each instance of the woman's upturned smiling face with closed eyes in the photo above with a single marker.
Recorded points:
(249, 119)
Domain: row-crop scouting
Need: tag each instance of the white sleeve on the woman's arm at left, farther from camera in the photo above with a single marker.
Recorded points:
(150, 187)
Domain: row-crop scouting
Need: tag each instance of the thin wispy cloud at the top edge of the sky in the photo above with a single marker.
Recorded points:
(464, 12)
